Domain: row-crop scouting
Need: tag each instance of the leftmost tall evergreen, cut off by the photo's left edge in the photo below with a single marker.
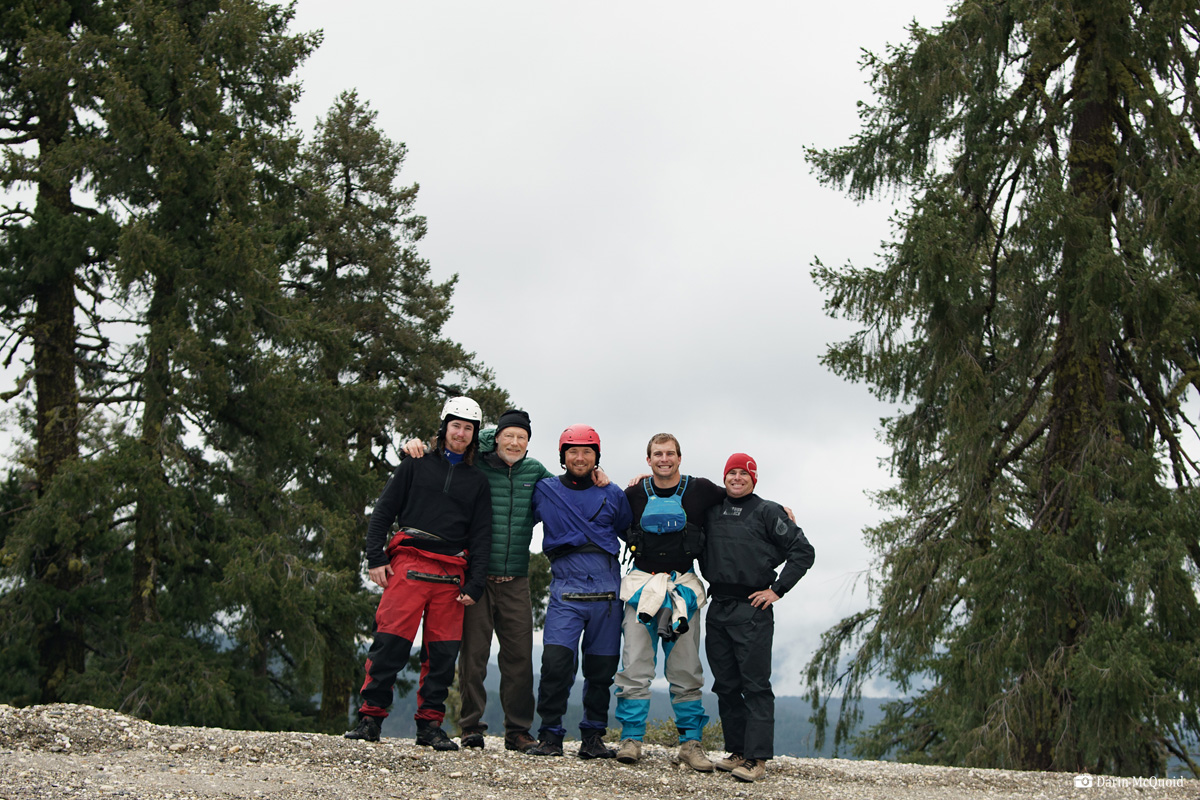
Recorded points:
(47, 255)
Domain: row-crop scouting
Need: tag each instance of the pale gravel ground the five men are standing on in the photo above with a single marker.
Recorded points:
(79, 751)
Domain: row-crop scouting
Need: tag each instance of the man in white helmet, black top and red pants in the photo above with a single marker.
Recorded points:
(431, 570)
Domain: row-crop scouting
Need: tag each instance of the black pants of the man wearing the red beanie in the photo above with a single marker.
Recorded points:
(739, 646)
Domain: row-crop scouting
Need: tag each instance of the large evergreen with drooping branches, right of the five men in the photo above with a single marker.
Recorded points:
(1040, 317)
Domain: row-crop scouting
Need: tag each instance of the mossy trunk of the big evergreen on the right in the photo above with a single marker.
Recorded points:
(1082, 423)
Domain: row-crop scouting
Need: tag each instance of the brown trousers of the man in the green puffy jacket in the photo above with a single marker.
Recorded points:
(507, 610)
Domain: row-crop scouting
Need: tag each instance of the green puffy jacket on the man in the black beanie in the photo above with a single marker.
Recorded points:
(512, 508)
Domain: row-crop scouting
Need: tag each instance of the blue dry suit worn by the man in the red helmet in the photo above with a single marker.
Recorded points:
(580, 537)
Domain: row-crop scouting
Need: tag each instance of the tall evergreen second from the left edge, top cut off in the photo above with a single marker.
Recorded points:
(196, 100)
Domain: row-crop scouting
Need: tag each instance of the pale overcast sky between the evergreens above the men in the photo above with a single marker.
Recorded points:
(622, 190)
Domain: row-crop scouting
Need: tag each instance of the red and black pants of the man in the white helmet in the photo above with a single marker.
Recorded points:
(421, 590)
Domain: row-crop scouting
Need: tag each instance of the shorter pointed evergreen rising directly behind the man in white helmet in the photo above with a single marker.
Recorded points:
(371, 338)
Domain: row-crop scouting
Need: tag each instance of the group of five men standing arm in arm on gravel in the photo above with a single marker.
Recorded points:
(460, 563)
